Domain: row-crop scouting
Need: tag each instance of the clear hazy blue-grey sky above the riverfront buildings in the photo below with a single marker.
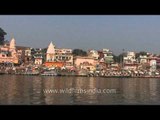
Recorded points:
(115, 32)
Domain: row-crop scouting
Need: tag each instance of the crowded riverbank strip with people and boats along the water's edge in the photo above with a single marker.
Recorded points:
(42, 71)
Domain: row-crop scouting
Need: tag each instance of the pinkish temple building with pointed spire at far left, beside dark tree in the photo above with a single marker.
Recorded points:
(8, 53)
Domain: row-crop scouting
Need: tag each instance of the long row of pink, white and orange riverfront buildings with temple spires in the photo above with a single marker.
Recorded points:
(95, 62)
